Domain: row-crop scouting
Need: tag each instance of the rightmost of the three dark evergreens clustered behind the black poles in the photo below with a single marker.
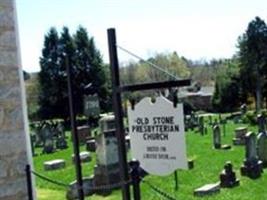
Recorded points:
(91, 70)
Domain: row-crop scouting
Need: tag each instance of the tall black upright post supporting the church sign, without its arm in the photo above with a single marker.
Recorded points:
(114, 66)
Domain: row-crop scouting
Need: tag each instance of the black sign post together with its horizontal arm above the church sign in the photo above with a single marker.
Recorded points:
(116, 95)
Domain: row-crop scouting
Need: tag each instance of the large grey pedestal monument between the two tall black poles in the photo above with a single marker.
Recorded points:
(106, 170)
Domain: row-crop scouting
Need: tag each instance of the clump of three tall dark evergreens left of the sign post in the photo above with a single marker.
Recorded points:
(86, 66)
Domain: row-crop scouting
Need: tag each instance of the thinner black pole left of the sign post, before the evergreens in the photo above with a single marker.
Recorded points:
(75, 138)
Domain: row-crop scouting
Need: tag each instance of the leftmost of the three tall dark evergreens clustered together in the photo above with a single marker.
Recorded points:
(49, 77)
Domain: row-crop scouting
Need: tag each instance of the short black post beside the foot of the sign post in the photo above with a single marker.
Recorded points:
(135, 179)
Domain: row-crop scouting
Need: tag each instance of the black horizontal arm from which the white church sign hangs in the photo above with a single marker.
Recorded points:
(156, 85)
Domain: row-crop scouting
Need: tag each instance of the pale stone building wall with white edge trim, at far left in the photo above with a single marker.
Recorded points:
(15, 147)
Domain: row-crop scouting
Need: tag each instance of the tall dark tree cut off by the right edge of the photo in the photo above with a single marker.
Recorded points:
(253, 59)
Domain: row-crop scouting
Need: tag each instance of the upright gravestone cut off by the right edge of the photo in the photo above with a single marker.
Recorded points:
(262, 148)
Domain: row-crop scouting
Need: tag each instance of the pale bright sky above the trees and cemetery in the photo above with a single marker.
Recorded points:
(195, 29)
